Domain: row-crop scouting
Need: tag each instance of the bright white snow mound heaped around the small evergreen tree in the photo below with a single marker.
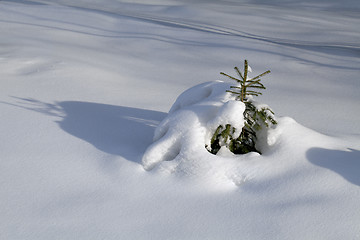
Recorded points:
(180, 139)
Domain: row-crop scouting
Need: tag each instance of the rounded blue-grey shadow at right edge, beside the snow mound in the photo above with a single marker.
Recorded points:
(344, 163)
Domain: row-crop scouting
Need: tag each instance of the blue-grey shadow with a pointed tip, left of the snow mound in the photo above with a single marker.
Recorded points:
(116, 130)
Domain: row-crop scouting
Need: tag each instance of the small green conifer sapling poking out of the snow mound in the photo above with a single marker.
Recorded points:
(256, 116)
